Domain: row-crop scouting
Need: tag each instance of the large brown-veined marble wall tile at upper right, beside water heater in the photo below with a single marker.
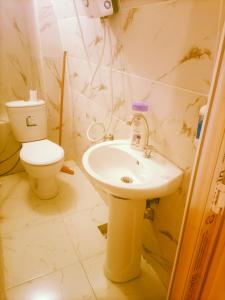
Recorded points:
(180, 27)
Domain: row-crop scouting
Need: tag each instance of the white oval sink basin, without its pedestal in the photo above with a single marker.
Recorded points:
(126, 173)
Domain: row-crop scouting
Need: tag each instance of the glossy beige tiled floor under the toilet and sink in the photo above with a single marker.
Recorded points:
(53, 250)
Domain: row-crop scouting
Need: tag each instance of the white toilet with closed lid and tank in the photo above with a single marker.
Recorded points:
(41, 158)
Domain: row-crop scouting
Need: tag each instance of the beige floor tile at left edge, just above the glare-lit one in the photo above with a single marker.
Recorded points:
(36, 251)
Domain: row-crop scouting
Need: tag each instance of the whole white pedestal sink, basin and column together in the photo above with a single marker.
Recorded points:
(130, 179)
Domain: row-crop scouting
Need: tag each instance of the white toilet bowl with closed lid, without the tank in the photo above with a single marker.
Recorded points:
(42, 160)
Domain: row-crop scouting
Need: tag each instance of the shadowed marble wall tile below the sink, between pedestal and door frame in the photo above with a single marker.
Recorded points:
(162, 229)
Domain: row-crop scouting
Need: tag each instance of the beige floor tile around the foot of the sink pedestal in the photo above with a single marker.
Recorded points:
(146, 287)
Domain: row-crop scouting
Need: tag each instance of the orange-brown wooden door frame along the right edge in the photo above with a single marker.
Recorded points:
(199, 223)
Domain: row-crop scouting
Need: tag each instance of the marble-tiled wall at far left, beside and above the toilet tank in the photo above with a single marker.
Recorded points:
(16, 76)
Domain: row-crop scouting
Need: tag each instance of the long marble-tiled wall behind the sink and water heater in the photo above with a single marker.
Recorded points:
(160, 52)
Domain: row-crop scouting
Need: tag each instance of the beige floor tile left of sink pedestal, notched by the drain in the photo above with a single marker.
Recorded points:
(83, 228)
